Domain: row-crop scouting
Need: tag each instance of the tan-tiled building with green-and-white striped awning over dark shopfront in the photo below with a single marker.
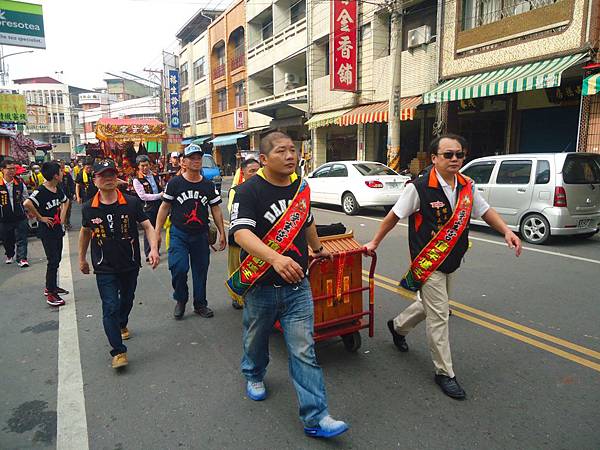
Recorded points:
(512, 74)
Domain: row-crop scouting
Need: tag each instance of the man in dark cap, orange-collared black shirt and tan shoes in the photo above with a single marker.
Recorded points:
(109, 221)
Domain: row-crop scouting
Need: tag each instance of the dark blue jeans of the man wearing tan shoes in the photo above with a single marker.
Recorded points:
(117, 291)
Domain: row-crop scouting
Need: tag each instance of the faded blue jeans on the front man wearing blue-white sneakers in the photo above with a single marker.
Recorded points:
(293, 306)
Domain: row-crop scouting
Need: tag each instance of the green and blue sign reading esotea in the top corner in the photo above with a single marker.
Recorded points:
(21, 24)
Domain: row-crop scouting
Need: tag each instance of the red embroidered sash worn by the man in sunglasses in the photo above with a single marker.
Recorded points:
(437, 250)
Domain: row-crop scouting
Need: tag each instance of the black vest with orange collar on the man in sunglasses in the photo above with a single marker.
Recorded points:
(435, 211)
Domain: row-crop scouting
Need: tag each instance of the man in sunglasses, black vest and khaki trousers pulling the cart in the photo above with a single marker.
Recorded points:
(429, 202)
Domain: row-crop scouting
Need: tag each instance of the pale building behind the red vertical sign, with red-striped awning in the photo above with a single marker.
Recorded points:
(353, 125)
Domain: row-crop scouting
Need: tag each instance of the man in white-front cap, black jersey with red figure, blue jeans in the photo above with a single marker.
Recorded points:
(187, 198)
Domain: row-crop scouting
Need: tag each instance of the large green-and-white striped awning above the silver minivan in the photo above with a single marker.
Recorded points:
(527, 77)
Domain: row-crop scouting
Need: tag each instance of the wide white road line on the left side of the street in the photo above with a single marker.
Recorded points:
(72, 433)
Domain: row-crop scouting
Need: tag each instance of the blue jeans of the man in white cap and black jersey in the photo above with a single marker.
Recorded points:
(186, 248)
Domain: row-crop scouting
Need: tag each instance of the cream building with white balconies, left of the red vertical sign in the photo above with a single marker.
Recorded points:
(277, 66)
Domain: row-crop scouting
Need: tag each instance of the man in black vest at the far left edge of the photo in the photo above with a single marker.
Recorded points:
(13, 220)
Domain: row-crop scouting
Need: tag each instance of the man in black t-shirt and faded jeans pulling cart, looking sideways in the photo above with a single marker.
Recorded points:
(283, 293)
